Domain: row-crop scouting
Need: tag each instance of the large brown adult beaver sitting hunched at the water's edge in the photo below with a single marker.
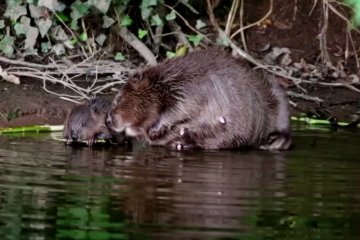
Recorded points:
(205, 99)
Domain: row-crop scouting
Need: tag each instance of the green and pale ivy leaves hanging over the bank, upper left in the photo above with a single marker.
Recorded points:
(50, 26)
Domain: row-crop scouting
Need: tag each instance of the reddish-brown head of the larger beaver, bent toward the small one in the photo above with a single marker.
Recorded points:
(136, 107)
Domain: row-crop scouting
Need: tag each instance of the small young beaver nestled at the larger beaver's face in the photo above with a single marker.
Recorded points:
(86, 122)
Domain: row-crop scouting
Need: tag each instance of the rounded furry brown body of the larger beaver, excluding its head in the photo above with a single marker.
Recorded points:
(228, 104)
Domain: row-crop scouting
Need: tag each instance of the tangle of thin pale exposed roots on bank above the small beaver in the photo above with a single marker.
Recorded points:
(106, 75)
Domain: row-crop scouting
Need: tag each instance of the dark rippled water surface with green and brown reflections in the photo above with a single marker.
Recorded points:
(49, 191)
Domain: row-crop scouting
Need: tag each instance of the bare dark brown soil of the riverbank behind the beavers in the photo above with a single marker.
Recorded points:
(290, 26)
